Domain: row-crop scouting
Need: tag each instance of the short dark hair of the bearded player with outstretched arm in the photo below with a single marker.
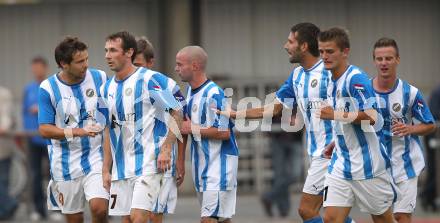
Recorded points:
(307, 33)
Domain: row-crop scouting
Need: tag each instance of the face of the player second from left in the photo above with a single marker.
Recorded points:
(115, 56)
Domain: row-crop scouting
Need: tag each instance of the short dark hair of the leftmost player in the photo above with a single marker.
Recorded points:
(67, 48)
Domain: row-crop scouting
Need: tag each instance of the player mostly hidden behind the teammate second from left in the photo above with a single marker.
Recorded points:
(166, 202)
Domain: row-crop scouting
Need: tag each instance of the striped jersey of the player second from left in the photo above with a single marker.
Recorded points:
(138, 112)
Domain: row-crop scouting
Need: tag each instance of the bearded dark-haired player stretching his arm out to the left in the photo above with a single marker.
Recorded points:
(305, 88)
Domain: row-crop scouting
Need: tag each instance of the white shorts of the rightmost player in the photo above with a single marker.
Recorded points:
(407, 202)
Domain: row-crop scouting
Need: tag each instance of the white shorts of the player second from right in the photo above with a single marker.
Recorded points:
(374, 196)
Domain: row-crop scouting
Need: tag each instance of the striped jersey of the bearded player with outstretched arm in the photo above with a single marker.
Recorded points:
(307, 89)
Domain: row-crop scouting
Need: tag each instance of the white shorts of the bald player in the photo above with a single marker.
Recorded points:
(217, 204)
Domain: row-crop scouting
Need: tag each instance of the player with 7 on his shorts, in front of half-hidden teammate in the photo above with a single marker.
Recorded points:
(140, 103)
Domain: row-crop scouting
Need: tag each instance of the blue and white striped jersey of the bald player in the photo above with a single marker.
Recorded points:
(214, 162)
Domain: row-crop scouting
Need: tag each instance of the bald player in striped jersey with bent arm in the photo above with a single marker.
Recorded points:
(214, 151)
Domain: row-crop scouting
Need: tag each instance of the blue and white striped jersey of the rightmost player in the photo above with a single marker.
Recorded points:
(403, 104)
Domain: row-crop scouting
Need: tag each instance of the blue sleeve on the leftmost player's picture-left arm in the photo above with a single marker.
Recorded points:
(46, 111)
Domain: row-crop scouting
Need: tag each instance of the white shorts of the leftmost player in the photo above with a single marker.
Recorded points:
(70, 196)
